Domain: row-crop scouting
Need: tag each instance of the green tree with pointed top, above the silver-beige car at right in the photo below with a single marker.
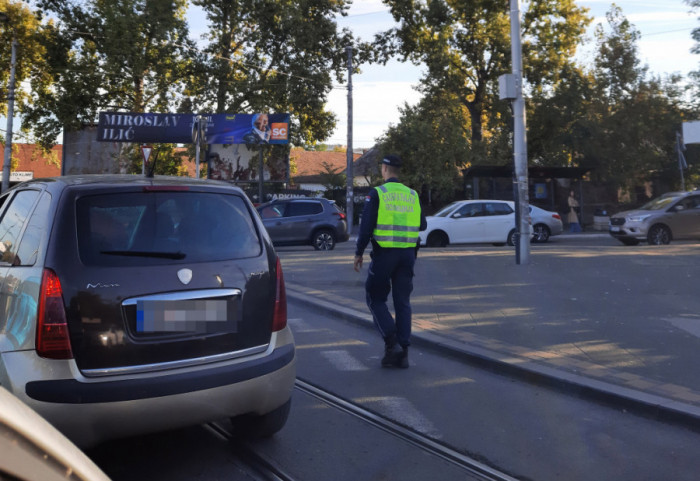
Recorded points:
(613, 118)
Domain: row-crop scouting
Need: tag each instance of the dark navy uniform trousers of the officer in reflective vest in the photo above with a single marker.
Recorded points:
(391, 269)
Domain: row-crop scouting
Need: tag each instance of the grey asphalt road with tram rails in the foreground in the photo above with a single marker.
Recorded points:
(529, 432)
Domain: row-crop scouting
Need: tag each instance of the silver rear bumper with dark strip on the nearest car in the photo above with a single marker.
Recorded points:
(89, 411)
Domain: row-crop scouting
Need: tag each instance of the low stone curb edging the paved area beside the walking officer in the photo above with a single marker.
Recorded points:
(645, 404)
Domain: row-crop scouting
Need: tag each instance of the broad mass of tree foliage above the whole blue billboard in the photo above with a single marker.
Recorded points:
(136, 55)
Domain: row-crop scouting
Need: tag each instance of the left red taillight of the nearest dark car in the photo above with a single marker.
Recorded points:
(52, 340)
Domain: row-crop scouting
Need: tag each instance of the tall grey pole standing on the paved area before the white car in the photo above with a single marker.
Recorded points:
(519, 138)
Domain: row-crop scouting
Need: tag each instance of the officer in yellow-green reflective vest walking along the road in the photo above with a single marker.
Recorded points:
(391, 219)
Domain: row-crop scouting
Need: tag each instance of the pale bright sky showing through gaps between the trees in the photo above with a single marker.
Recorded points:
(379, 91)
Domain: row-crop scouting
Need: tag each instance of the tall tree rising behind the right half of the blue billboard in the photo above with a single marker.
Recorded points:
(275, 56)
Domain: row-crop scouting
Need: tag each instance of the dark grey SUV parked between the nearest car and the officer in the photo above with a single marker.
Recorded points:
(318, 222)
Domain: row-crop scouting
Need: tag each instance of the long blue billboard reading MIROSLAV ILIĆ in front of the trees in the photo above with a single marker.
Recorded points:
(177, 128)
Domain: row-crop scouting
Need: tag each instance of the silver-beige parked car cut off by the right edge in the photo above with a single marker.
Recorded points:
(673, 216)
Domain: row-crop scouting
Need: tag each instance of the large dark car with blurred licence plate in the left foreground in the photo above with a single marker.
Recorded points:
(132, 305)
